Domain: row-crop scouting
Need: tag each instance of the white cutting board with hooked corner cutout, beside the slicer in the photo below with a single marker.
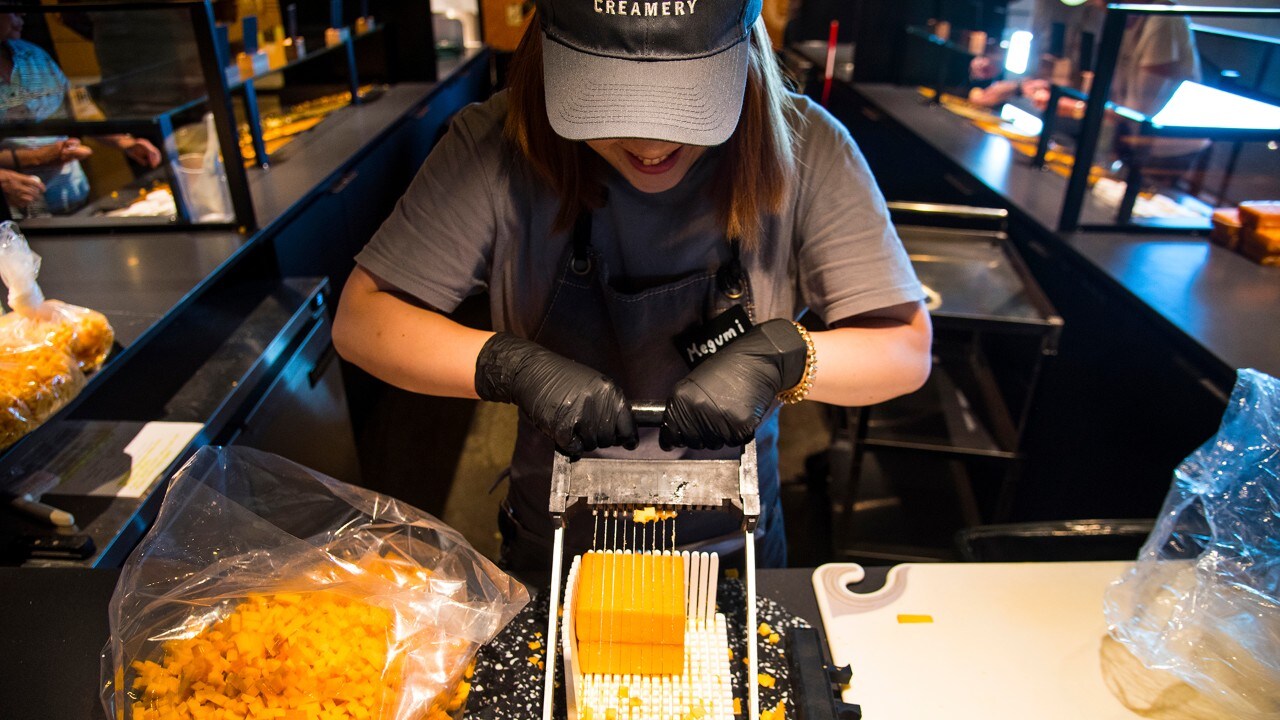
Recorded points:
(1013, 641)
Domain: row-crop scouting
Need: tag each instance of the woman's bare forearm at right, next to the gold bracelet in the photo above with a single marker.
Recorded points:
(877, 361)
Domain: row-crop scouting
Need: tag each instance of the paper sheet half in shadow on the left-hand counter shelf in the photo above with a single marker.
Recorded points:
(122, 459)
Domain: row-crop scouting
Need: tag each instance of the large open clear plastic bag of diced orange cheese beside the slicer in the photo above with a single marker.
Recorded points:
(266, 586)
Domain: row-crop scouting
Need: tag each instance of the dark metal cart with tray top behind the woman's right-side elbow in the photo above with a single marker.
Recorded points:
(993, 331)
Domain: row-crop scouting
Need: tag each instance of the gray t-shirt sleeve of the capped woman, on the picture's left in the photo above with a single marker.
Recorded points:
(438, 243)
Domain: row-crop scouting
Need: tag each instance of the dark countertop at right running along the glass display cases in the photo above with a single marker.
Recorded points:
(1226, 306)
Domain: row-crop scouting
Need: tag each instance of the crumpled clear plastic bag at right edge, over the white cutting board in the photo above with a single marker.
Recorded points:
(1203, 603)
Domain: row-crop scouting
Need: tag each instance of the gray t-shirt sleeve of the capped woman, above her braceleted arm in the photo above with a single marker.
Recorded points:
(849, 257)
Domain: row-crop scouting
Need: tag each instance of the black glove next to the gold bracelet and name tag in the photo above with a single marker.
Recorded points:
(723, 402)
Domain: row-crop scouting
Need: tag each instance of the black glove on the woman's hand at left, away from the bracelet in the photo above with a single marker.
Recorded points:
(577, 407)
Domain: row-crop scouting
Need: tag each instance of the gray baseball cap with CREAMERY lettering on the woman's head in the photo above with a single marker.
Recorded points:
(671, 70)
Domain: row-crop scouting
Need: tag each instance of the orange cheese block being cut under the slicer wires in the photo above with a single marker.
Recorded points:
(630, 613)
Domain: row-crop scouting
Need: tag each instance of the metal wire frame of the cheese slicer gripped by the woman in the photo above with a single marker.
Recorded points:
(611, 490)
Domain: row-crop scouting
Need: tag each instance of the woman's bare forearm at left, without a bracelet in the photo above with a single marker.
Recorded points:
(405, 345)
